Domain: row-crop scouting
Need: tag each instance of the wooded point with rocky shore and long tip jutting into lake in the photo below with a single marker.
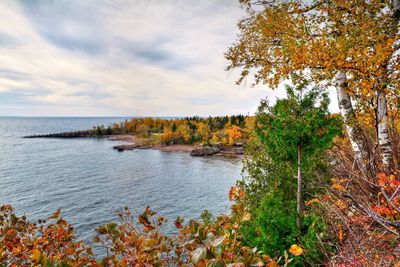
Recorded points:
(195, 135)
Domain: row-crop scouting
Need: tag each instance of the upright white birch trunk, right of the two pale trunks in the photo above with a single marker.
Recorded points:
(383, 131)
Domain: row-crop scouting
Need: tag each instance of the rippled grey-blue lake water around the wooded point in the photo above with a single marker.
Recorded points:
(88, 180)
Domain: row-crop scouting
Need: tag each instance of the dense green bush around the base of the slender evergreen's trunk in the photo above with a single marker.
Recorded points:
(273, 230)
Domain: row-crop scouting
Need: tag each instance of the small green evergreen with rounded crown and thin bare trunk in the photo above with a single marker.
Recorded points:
(296, 128)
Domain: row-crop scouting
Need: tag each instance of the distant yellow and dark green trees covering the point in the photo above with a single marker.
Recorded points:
(189, 130)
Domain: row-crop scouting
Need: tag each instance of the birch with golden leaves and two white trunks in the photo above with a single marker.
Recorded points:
(351, 44)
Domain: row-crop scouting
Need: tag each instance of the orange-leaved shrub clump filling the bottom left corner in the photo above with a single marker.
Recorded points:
(23, 243)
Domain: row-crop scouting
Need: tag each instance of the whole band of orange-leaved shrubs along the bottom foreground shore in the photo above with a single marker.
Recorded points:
(132, 243)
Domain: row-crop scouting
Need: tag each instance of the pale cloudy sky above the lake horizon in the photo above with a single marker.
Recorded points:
(121, 58)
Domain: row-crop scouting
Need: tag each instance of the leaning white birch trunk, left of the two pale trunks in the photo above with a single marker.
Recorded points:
(352, 127)
